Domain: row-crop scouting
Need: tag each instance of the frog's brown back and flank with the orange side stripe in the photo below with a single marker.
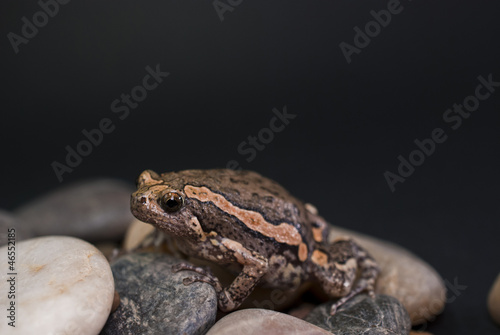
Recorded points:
(251, 209)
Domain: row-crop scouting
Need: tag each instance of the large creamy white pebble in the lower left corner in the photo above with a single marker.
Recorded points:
(63, 285)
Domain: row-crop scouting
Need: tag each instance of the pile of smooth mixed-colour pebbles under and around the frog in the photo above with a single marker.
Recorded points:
(65, 283)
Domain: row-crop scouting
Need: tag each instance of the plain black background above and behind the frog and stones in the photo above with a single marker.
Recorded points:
(352, 120)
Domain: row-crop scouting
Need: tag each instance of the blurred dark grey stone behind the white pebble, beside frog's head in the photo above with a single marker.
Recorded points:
(95, 210)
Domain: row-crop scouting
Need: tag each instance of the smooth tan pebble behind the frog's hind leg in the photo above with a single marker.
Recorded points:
(404, 276)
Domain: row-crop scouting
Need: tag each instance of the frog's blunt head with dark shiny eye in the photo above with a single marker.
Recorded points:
(161, 202)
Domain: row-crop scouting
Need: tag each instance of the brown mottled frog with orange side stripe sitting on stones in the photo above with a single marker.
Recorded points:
(252, 224)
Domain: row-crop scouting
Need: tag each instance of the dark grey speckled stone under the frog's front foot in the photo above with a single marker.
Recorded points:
(154, 300)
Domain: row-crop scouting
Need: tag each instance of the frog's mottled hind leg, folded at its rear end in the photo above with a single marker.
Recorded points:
(336, 270)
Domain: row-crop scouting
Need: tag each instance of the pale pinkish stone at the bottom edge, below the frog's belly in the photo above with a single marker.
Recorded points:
(263, 322)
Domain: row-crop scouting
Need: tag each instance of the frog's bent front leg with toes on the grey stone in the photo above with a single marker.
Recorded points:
(224, 251)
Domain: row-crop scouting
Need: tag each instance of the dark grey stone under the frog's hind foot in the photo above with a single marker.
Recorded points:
(363, 315)
